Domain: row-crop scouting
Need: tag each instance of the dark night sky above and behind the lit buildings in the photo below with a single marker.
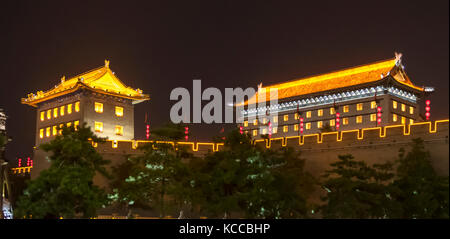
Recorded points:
(161, 46)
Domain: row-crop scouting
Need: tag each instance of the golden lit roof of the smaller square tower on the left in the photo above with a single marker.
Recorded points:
(101, 80)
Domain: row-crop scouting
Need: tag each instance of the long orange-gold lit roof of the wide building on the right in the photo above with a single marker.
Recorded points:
(335, 80)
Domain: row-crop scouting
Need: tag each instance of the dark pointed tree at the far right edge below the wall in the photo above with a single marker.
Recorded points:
(421, 192)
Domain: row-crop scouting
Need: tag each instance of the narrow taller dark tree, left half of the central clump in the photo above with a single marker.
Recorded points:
(221, 176)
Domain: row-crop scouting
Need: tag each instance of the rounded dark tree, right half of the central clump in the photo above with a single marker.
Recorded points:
(281, 189)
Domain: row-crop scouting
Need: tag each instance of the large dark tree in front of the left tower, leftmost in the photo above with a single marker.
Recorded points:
(66, 188)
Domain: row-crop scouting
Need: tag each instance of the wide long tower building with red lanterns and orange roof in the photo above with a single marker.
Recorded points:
(371, 95)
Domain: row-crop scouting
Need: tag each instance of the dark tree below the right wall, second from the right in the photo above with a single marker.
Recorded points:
(356, 190)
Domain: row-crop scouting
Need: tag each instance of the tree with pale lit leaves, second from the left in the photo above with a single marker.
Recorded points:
(158, 178)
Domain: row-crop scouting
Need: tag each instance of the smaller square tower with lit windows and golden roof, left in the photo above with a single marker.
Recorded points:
(97, 98)
